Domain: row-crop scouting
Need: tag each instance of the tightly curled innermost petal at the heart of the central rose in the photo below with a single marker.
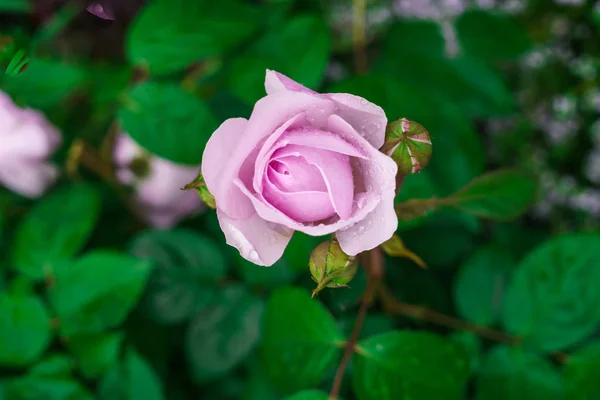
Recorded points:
(295, 174)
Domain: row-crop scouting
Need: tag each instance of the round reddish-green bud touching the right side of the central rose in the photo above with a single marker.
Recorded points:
(409, 144)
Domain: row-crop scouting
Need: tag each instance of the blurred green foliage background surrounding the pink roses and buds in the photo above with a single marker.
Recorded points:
(96, 305)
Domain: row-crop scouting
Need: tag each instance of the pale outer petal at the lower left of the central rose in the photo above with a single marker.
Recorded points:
(258, 241)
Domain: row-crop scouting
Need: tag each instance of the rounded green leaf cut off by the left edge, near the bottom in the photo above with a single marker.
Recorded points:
(25, 330)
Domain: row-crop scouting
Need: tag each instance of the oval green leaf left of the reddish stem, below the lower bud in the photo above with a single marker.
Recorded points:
(301, 343)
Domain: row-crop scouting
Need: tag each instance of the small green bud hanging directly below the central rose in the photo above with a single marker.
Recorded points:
(330, 266)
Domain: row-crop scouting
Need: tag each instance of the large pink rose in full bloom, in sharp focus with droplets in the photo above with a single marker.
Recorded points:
(305, 162)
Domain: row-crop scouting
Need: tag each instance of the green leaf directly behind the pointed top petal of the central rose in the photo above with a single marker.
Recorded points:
(277, 50)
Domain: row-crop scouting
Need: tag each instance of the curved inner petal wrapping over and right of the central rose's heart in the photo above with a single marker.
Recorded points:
(336, 171)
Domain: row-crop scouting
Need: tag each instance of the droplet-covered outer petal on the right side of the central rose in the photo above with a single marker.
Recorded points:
(380, 179)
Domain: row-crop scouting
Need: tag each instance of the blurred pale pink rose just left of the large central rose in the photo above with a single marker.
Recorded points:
(156, 183)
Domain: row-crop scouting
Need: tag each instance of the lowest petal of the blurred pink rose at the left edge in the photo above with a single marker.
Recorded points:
(30, 179)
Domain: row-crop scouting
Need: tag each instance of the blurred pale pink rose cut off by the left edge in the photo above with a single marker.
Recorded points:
(27, 140)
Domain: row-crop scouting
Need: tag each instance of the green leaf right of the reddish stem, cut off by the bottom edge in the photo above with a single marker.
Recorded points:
(405, 364)
